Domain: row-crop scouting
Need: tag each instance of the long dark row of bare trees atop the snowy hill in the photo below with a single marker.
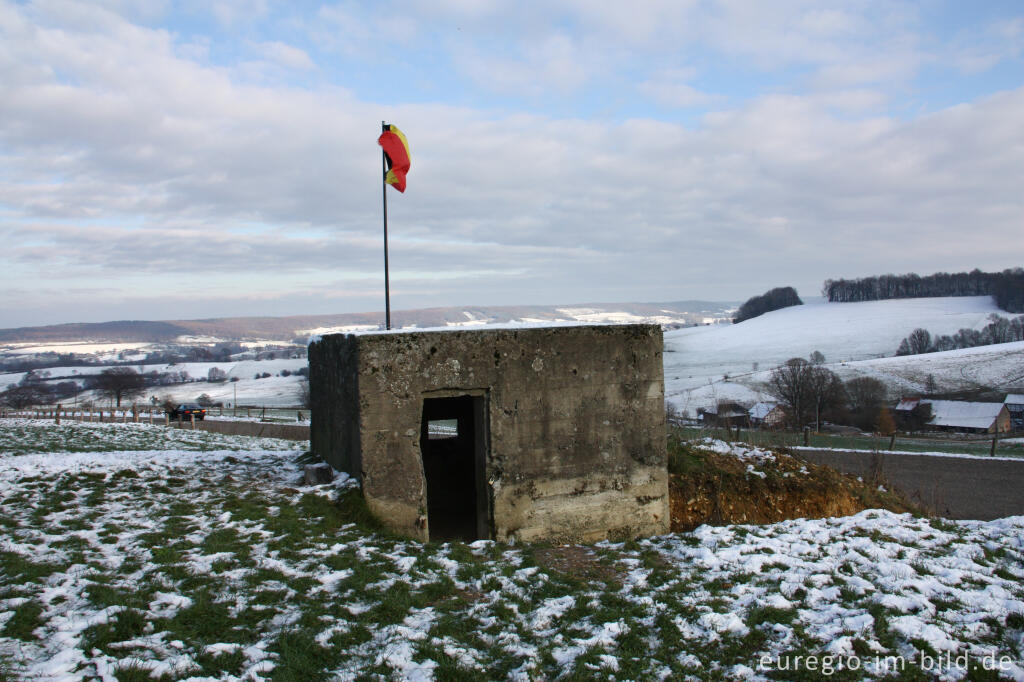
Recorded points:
(1006, 288)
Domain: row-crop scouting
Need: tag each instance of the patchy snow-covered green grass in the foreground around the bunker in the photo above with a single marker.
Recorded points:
(185, 565)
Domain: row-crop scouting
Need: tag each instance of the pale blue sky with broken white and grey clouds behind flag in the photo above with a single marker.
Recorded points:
(194, 159)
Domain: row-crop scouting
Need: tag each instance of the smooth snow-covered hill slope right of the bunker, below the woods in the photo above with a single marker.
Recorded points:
(704, 365)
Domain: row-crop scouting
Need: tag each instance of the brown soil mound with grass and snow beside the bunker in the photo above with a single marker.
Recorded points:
(706, 487)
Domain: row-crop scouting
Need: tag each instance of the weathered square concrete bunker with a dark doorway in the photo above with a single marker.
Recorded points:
(530, 434)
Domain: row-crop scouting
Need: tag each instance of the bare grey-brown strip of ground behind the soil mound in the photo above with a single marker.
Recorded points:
(958, 488)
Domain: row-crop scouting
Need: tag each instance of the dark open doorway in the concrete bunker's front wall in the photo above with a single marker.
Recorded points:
(453, 440)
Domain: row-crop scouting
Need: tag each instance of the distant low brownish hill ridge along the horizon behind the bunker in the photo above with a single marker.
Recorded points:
(296, 328)
